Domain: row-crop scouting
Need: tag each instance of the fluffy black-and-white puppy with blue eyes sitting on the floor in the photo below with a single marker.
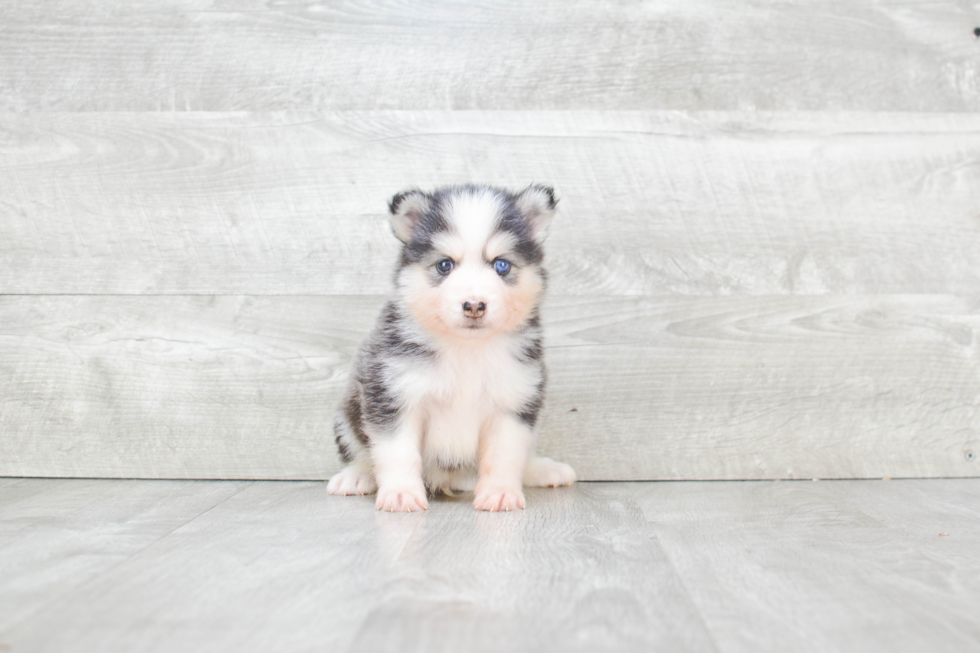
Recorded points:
(446, 391)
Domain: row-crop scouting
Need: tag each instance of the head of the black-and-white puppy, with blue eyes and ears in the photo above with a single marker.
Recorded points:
(471, 261)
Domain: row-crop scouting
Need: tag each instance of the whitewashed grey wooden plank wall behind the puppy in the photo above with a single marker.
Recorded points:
(766, 263)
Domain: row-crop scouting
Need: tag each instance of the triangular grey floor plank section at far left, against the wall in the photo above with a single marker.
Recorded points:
(56, 535)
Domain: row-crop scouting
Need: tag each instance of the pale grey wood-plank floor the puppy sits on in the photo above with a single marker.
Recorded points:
(115, 565)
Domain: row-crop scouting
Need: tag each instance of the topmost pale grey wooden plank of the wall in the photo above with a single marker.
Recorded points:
(194, 55)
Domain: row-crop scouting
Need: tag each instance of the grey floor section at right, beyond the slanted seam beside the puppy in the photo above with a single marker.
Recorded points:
(831, 566)
